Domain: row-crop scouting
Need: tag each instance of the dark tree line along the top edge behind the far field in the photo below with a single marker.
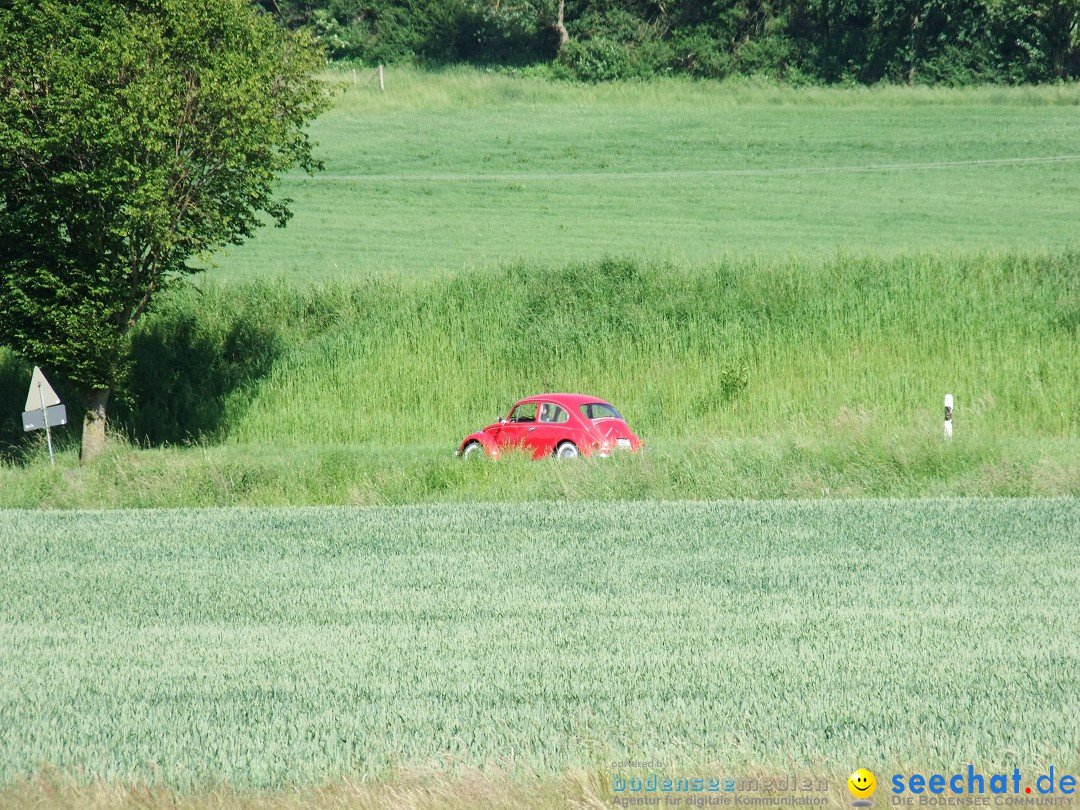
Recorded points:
(933, 42)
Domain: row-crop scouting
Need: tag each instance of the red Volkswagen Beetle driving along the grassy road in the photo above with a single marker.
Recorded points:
(564, 426)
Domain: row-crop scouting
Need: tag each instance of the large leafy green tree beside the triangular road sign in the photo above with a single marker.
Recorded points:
(136, 136)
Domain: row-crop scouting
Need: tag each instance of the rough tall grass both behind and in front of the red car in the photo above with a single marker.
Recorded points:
(752, 379)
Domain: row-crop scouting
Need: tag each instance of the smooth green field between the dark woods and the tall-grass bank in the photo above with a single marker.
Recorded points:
(566, 159)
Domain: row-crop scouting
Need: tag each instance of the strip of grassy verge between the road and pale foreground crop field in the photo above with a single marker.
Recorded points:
(856, 465)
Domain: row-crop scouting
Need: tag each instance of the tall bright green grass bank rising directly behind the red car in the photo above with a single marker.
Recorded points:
(734, 349)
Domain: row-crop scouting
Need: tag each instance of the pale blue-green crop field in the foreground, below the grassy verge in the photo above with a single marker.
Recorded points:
(299, 646)
